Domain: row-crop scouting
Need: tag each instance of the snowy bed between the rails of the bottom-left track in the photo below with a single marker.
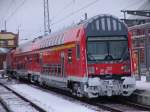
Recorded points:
(14, 103)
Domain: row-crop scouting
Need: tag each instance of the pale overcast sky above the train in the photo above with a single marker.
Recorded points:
(27, 15)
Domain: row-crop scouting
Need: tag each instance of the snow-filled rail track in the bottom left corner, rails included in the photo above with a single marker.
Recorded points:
(14, 102)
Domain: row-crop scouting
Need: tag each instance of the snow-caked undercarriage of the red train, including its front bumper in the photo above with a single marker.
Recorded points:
(85, 87)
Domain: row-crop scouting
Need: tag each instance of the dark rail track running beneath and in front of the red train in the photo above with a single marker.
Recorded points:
(118, 104)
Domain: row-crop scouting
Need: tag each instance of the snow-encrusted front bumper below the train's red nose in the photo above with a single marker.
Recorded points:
(110, 87)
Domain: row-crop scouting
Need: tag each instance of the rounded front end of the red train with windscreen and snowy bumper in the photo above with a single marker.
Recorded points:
(108, 57)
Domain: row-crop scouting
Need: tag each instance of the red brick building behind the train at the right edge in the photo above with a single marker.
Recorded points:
(141, 45)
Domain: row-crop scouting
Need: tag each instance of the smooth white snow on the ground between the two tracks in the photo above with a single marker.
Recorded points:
(50, 102)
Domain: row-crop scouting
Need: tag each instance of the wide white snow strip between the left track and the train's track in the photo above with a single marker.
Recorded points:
(50, 101)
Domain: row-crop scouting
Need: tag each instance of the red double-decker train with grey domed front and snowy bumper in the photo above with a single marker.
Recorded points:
(91, 58)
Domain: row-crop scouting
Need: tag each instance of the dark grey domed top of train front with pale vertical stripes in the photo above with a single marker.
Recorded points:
(103, 25)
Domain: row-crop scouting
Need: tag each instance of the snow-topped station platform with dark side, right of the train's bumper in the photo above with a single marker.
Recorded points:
(142, 93)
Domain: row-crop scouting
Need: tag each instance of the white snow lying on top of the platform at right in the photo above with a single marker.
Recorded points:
(142, 84)
